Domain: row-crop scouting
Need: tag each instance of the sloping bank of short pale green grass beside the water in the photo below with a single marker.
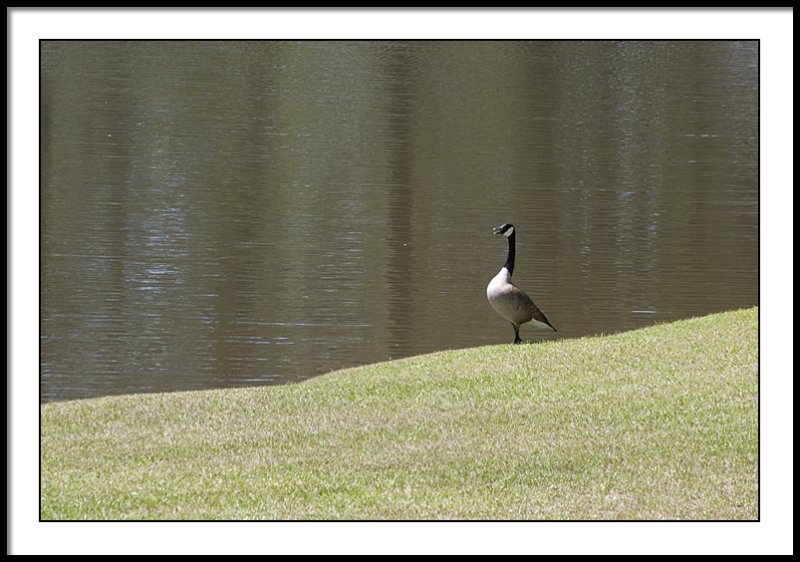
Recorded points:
(658, 423)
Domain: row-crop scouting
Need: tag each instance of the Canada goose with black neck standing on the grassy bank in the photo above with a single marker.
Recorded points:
(509, 301)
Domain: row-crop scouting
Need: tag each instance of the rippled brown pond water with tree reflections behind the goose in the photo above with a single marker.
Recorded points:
(238, 213)
